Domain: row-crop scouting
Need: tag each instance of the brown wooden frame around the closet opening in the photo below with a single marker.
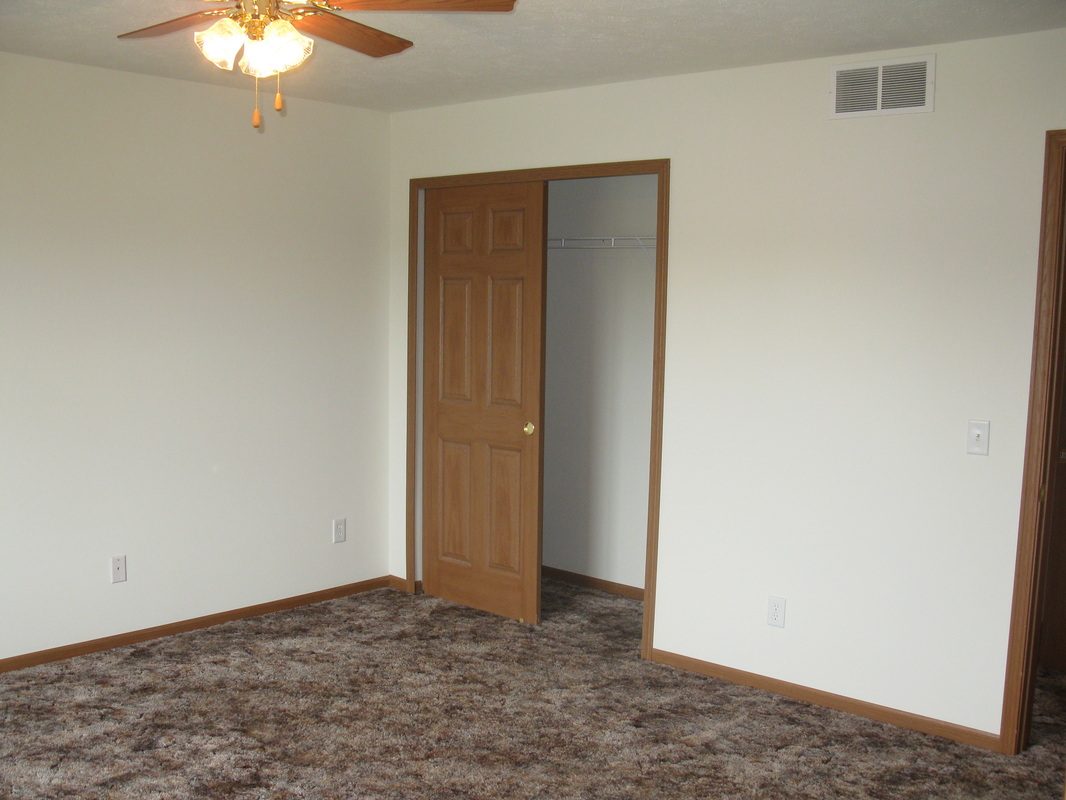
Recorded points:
(656, 167)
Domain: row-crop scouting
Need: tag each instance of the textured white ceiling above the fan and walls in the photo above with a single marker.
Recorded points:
(543, 45)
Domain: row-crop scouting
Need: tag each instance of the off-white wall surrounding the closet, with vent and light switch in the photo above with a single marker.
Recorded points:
(844, 296)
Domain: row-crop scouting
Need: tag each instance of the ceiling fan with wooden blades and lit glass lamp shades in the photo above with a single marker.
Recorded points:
(269, 31)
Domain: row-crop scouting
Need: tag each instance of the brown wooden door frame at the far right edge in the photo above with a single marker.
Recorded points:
(1046, 388)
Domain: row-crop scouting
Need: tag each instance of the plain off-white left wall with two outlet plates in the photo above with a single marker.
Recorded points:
(192, 350)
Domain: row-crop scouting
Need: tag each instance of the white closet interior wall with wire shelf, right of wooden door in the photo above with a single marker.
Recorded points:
(599, 376)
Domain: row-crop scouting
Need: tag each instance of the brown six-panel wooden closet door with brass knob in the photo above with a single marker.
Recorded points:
(482, 408)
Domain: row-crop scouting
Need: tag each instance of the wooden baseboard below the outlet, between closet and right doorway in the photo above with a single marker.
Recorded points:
(841, 703)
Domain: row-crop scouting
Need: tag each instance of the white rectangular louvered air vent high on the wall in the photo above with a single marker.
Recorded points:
(897, 87)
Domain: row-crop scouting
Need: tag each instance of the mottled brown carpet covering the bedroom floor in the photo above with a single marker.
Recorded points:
(391, 696)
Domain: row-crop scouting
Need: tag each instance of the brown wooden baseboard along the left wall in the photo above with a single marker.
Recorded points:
(95, 646)
